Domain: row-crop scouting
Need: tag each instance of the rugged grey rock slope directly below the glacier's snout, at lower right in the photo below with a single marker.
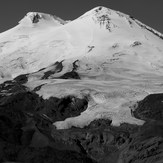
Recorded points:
(127, 143)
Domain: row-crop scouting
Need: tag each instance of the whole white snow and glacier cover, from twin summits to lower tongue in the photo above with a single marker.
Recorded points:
(119, 60)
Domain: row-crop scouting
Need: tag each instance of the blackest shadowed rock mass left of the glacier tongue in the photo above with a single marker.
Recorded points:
(25, 124)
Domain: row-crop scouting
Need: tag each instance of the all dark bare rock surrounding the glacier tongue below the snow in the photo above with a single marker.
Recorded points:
(27, 133)
